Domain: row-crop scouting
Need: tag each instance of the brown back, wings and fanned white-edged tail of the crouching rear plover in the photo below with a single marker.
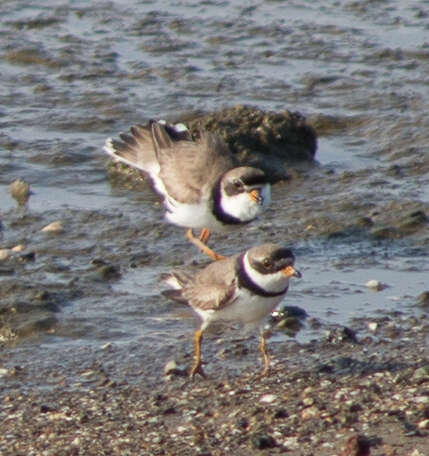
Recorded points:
(187, 169)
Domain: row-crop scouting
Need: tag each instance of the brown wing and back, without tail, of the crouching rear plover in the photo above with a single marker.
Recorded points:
(189, 169)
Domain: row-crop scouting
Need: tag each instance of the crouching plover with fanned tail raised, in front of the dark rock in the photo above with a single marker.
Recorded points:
(197, 179)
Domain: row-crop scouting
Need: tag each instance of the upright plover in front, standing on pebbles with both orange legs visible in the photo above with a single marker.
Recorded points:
(242, 288)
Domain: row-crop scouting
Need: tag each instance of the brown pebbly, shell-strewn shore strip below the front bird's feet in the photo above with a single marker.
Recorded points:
(318, 398)
